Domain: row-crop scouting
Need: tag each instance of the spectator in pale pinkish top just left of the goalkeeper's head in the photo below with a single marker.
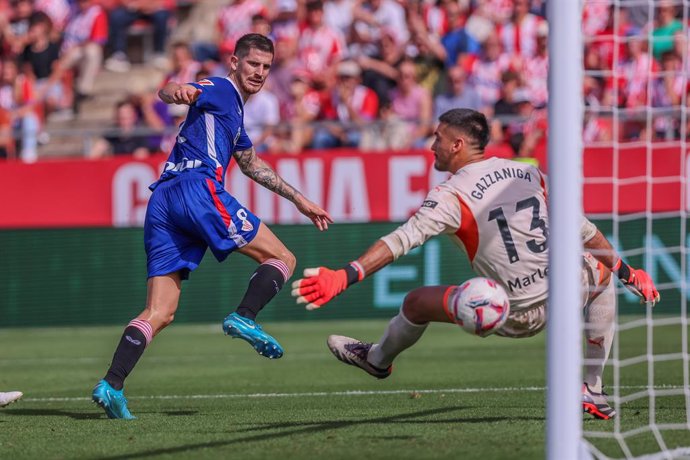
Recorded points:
(412, 103)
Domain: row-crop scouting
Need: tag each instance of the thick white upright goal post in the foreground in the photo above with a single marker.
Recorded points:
(564, 331)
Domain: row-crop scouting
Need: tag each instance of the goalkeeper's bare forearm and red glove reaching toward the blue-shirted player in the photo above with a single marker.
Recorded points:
(321, 284)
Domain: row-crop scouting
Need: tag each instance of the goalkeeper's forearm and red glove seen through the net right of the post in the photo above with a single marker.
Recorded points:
(636, 280)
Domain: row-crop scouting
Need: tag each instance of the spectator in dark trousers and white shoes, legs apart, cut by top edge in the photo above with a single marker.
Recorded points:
(121, 18)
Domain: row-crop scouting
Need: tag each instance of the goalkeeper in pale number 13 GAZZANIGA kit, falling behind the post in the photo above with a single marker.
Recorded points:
(495, 210)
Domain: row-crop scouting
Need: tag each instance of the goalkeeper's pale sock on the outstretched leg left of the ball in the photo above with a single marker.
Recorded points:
(400, 334)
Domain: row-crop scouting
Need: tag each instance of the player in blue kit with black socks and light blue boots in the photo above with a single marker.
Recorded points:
(190, 211)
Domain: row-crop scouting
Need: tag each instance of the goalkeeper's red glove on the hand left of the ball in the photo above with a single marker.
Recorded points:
(321, 284)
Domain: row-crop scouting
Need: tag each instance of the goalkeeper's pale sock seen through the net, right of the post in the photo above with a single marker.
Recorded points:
(600, 318)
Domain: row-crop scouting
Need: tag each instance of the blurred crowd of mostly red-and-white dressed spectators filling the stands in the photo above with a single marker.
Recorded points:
(368, 74)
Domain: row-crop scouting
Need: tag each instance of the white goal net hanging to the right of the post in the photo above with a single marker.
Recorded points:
(635, 188)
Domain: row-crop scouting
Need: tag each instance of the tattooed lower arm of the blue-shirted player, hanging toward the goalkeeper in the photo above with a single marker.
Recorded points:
(261, 172)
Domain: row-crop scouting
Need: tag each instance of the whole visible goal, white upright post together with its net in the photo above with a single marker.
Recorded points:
(648, 371)
